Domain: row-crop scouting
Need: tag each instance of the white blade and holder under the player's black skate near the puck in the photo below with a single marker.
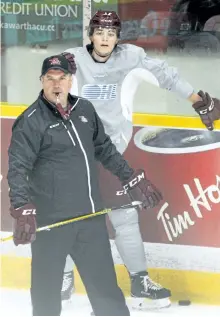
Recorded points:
(149, 304)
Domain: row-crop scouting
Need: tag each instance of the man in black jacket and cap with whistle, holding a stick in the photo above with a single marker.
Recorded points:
(53, 154)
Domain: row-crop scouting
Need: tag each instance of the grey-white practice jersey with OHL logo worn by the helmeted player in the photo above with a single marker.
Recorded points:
(102, 84)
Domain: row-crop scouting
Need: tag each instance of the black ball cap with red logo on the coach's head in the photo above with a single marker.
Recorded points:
(55, 62)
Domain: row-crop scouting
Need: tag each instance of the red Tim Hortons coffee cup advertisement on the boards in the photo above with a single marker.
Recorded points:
(183, 164)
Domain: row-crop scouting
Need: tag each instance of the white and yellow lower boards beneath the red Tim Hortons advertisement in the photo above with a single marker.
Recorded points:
(190, 272)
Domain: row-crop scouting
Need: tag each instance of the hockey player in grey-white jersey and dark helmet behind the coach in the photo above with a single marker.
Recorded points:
(102, 67)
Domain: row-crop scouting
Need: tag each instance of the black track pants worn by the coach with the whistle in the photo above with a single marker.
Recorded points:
(87, 242)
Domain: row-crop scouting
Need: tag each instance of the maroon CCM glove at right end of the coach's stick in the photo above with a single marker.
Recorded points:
(141, 189)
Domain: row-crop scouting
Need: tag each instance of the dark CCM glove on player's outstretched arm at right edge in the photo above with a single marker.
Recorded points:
(208, 109)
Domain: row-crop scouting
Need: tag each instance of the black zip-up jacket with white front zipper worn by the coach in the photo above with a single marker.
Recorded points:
(53, 162)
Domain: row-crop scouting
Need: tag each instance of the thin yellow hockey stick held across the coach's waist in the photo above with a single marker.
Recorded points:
(65, 222)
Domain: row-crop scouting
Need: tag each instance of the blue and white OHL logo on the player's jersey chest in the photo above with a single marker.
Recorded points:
(99, 92)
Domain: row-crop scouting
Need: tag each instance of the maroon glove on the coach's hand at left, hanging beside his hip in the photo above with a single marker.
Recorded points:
(24, 229)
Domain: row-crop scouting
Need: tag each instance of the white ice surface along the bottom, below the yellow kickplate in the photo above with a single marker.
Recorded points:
(17, 303)
